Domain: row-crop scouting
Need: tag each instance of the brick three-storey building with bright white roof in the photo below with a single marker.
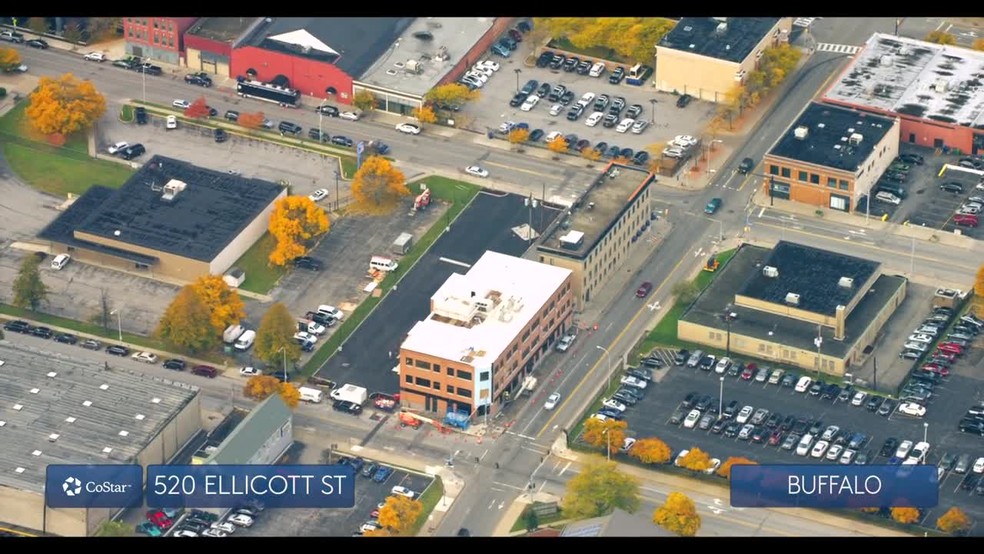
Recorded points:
(486, 332)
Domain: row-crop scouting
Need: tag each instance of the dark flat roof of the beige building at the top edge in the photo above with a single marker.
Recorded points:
(725, 38)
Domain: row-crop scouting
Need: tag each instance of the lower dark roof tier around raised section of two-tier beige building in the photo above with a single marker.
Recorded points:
(719, 297)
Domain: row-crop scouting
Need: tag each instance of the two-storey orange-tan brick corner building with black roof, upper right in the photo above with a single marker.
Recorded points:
(831, 157)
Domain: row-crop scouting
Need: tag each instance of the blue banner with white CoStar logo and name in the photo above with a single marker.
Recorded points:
(93, 486)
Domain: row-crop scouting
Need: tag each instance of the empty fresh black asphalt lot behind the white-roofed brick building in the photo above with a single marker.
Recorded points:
(368, 356)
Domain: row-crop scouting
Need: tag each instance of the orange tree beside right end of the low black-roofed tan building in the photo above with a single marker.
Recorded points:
(295, 221)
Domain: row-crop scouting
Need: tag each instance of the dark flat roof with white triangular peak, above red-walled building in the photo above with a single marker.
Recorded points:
(351, 43)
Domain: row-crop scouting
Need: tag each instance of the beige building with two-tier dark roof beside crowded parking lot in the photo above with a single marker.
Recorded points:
(774, 304)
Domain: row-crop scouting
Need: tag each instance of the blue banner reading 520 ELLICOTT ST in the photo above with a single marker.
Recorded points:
(228, 486)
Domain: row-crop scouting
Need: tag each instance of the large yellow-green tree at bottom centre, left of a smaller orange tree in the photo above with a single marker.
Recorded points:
(598, 489)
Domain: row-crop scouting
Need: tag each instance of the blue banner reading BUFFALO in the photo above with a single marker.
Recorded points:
(834, 486)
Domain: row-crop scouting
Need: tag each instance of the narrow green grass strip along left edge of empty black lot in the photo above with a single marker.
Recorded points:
(460, 194)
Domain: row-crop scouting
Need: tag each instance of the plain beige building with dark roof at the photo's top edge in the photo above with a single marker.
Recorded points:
(707, 57)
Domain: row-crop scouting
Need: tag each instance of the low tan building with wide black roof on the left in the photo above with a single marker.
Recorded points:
(171, 220)
